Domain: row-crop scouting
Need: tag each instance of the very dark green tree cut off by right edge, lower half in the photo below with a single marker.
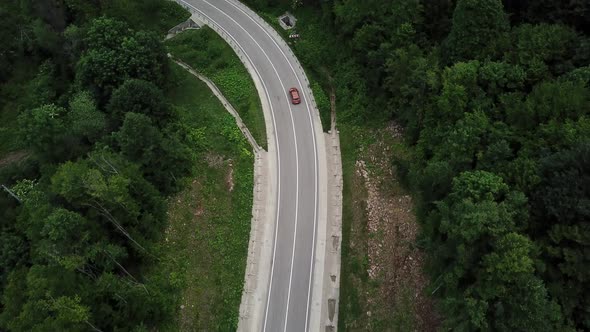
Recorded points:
(560, 210)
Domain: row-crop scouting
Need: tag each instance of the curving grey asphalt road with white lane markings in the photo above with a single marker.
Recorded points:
(288, 300)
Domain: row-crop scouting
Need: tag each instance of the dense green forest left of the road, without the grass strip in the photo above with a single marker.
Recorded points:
(83, 80)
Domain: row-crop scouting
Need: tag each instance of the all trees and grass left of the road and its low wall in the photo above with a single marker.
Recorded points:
(129, 187)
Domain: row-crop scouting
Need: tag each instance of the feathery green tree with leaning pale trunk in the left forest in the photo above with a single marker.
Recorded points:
(112, 190)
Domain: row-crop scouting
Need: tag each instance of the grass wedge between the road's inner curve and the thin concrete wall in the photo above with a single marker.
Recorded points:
(209, 54)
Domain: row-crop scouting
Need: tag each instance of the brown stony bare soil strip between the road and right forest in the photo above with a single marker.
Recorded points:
(396, 299)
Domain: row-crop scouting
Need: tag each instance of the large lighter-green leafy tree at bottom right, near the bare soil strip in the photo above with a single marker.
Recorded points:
(479, 281)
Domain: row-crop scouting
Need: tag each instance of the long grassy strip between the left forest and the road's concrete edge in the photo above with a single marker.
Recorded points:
(203, 254)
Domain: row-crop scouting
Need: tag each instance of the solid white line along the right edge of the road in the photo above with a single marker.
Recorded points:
(315, 159)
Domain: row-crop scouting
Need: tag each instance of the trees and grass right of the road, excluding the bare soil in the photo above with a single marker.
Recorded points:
(493, 99)
